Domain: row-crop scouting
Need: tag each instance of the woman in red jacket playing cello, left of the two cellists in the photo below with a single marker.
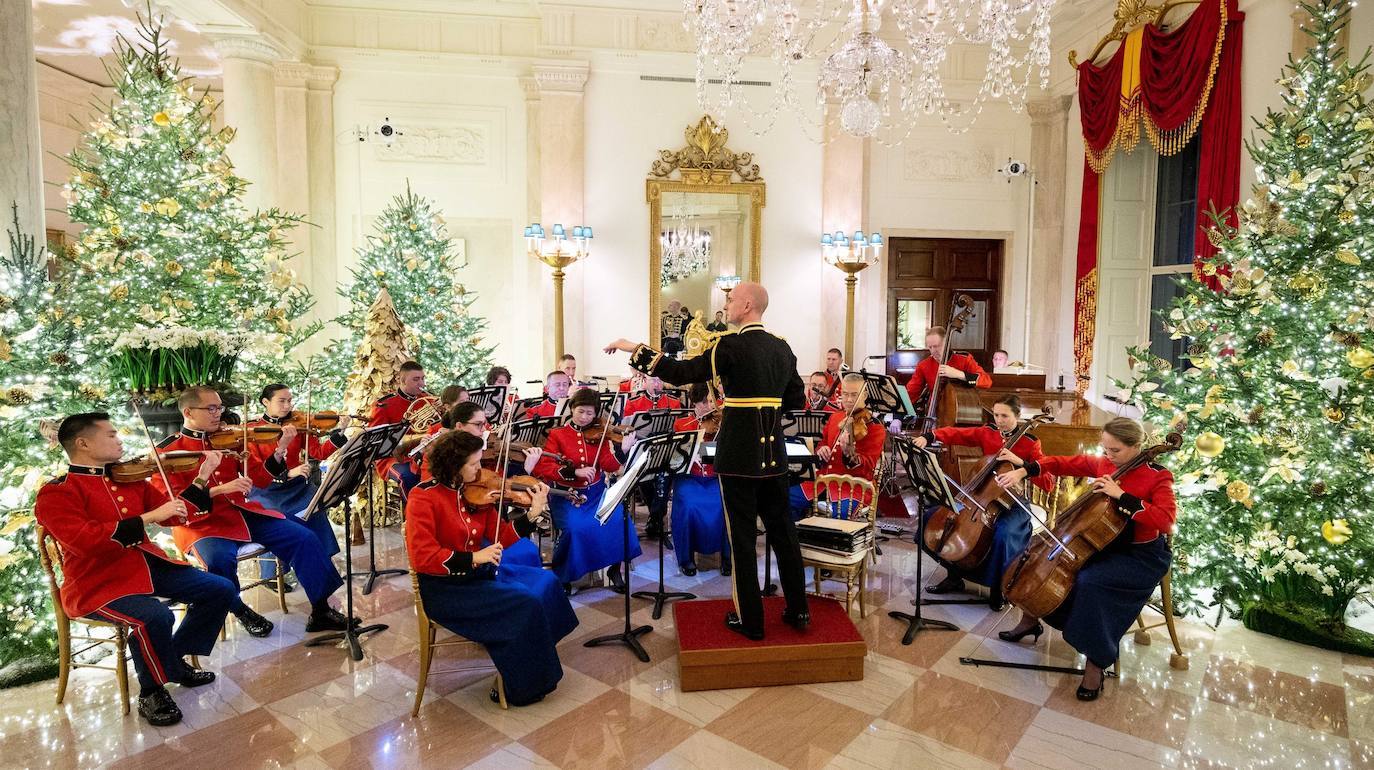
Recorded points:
(1012, 533)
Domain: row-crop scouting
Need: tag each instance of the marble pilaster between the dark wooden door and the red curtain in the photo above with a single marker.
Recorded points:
(1049, 262)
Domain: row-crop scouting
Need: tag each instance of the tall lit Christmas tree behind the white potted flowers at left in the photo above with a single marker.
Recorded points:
(168, 241)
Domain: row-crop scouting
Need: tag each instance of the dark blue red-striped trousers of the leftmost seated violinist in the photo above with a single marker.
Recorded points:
(157, 648)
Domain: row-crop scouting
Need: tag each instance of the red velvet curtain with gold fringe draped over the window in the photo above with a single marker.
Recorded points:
(1189, 82)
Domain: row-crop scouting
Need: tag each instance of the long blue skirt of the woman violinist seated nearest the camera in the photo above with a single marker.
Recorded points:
(519, 615)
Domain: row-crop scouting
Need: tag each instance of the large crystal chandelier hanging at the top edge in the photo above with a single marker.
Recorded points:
(879, 83)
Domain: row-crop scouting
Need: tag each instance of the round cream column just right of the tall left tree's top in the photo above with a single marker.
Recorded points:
(251, 109)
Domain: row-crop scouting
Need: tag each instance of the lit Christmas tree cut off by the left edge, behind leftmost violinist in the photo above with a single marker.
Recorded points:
(42, 380)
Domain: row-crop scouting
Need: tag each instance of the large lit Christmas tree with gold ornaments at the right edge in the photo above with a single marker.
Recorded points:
(1277, 394)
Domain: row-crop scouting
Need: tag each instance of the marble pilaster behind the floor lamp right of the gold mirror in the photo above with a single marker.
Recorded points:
(844, 206)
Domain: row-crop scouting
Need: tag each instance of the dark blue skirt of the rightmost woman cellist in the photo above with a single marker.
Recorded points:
(1110, 593)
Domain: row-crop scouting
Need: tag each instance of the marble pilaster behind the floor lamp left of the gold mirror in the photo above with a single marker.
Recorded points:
(561, 164)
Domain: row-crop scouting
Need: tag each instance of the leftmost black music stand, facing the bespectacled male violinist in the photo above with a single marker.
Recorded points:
(348, 467)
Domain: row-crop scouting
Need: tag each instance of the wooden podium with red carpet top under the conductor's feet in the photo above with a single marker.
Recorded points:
(714, 658)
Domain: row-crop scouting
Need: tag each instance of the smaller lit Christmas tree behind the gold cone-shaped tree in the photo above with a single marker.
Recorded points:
(413, 258)
